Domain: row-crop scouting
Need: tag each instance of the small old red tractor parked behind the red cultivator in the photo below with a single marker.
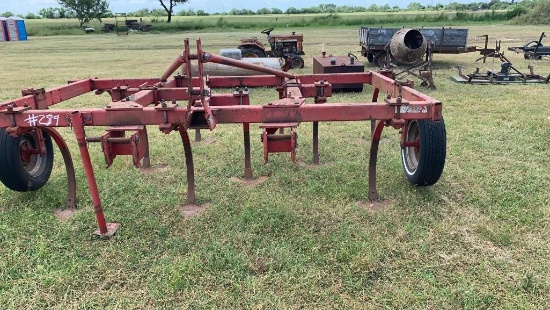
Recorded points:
(287, 47)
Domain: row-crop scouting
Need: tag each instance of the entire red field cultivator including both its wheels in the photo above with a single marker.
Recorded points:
(183, 102)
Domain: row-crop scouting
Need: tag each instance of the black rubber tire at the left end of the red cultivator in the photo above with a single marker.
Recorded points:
(12, 172)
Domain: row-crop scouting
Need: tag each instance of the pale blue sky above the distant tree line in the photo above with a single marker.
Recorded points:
(210, 6)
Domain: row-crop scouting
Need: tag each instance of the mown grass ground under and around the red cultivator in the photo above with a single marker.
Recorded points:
(479, 238)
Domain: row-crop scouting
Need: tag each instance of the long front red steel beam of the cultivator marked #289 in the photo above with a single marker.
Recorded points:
(229, 114)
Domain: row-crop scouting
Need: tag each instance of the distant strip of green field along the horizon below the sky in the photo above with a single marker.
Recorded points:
(227, 23)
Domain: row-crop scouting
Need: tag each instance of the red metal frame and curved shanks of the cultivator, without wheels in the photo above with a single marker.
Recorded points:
(183, 103)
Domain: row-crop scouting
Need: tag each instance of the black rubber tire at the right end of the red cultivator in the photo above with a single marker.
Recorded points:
(430, 158)
